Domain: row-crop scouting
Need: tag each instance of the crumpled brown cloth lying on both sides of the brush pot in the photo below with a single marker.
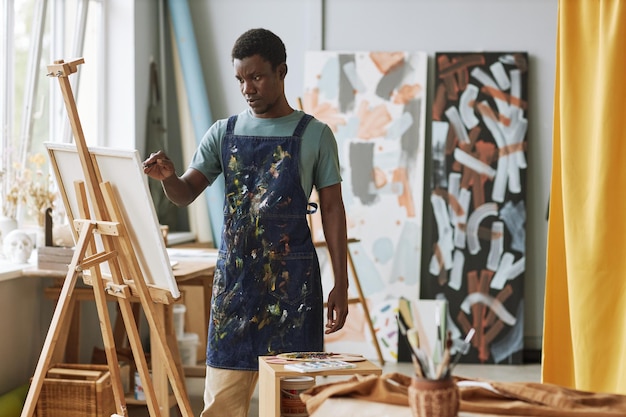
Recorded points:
(478, 396)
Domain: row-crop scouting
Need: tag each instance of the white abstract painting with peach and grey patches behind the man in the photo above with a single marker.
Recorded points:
(375, 103)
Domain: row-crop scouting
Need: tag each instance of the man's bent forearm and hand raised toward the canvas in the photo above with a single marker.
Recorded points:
(180, 190)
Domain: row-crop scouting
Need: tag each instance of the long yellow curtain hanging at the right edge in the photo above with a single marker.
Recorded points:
(584, 340)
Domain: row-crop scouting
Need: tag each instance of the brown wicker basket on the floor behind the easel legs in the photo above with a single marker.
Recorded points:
(74, 390)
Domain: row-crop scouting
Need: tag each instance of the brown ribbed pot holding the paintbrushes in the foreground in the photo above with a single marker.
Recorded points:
(433, 398)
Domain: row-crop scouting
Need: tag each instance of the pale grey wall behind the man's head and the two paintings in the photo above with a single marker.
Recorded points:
(419, 25)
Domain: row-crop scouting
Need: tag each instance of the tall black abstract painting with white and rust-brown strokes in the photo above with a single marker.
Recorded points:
(477, 200)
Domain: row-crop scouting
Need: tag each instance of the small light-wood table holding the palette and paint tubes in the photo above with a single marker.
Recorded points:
(271, 373)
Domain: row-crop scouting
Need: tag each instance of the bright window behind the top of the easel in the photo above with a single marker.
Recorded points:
(35, 33)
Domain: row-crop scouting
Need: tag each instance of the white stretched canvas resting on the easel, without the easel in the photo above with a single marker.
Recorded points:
(122, 168)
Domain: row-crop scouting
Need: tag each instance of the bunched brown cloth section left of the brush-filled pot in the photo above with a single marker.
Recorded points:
(388, 388)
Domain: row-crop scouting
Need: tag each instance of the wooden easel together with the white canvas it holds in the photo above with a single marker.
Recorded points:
(106, 198)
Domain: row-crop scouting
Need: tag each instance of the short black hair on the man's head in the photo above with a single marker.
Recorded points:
(262, 42)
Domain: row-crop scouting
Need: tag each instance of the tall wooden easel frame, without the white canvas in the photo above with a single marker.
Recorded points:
(126, 284)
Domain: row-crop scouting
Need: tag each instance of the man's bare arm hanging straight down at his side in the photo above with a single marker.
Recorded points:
(334, 225)
